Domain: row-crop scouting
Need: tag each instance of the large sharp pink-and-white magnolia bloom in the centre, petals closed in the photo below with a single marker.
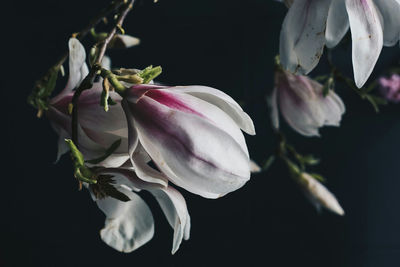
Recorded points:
(192, 133)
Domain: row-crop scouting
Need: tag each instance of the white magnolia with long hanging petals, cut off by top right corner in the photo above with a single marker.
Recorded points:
(310, 24)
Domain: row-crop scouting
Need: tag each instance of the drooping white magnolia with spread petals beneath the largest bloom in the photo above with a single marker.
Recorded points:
(130, 224)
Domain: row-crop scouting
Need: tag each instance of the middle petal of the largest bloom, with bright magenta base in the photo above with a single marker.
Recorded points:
(198, 107)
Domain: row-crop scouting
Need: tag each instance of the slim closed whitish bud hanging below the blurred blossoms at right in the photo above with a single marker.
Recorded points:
(318, 194)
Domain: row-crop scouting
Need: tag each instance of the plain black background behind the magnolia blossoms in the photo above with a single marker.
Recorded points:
(230, 45)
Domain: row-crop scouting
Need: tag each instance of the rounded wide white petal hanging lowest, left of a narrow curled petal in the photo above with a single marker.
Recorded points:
(128, 225)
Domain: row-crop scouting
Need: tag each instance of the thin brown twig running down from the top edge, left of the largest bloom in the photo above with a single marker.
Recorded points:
(87, 83)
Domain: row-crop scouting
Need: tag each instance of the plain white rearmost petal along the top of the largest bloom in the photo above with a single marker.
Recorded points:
(223, 101)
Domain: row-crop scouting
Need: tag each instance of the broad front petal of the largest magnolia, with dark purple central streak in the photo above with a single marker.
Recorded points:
(191, 151)
